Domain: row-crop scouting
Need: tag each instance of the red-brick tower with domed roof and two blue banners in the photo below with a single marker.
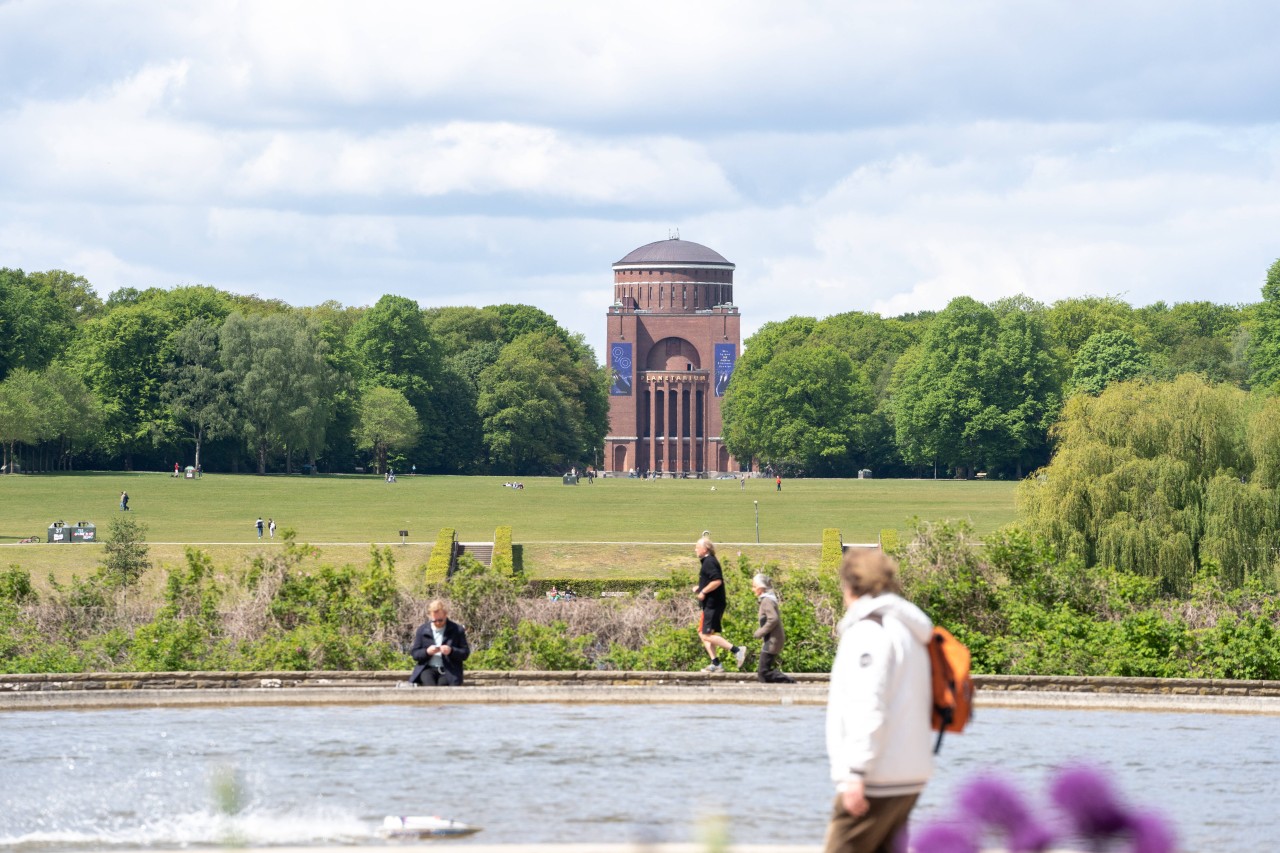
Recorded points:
(674, 339)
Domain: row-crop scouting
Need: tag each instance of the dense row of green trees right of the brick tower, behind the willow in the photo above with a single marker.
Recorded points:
(976, 387)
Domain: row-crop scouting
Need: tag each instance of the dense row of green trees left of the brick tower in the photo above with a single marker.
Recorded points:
(235, 384)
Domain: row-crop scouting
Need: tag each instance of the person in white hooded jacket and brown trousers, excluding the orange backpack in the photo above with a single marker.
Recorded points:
(877, 709)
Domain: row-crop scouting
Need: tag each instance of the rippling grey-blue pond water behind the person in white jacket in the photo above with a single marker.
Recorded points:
(542, 773)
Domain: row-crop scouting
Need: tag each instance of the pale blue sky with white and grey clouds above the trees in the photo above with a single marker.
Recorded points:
(849, 156)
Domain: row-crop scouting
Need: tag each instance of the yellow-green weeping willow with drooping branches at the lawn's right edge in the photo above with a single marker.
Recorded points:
(1163, 480)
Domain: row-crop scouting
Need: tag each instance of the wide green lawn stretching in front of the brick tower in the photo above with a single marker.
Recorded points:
(638, 527)
